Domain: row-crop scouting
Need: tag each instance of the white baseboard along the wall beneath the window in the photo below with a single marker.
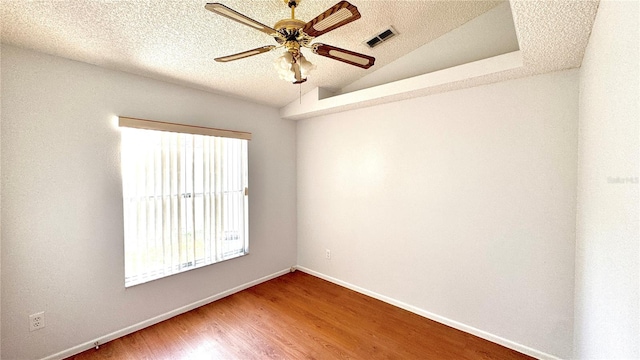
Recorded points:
(141, 325)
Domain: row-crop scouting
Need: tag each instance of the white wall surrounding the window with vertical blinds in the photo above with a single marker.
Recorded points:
(62, 242)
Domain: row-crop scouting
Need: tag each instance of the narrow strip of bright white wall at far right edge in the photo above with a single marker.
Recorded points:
(607, 321)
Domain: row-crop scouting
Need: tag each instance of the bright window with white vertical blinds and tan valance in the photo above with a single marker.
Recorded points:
(185, 197)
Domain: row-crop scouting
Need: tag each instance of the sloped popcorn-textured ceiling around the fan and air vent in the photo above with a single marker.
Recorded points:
(177, 41)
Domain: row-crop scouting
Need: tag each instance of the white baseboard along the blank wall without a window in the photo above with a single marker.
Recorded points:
(441, 319)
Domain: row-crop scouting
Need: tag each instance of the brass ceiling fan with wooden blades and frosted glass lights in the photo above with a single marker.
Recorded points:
(294, 34)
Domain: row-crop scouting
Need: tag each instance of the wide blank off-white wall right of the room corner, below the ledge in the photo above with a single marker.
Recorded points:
(461, 204)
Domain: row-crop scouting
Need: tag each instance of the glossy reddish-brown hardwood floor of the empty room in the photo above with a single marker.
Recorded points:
(298, 316)
